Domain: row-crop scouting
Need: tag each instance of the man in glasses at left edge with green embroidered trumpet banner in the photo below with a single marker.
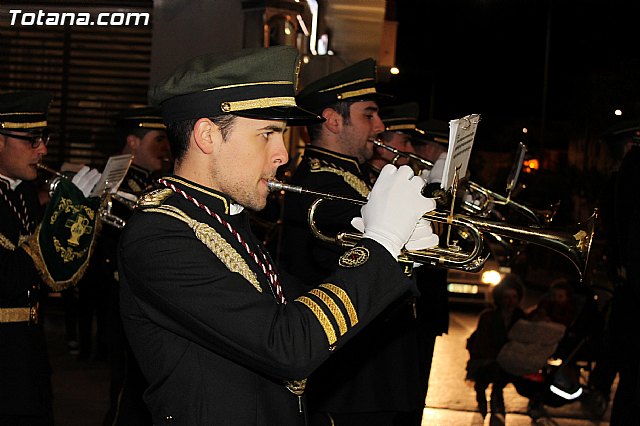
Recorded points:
(34, 252)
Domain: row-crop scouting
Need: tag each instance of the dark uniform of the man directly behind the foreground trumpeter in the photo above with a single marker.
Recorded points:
(379, 370)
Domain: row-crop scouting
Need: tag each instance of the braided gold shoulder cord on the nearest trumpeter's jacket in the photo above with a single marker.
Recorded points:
(214, 241)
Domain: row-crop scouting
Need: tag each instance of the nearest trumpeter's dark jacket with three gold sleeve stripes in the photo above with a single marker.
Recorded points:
(215, 344)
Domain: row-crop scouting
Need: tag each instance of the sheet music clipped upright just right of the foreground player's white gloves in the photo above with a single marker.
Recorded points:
(462, 132)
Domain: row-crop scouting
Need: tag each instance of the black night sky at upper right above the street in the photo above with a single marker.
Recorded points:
(488, 57)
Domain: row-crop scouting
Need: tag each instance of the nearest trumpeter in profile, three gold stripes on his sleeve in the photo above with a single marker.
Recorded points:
(219, 334)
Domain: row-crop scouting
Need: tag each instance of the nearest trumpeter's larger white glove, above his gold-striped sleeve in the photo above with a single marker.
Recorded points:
(395, 205)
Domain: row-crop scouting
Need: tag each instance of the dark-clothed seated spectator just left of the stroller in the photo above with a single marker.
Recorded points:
(485, 343)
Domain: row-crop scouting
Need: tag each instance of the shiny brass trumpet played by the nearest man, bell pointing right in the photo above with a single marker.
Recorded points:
(574, 244)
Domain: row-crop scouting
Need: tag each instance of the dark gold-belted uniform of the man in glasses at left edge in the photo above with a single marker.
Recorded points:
(25, 387)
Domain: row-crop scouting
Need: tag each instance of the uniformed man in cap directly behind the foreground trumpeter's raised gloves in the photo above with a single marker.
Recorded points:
(376, 379)
